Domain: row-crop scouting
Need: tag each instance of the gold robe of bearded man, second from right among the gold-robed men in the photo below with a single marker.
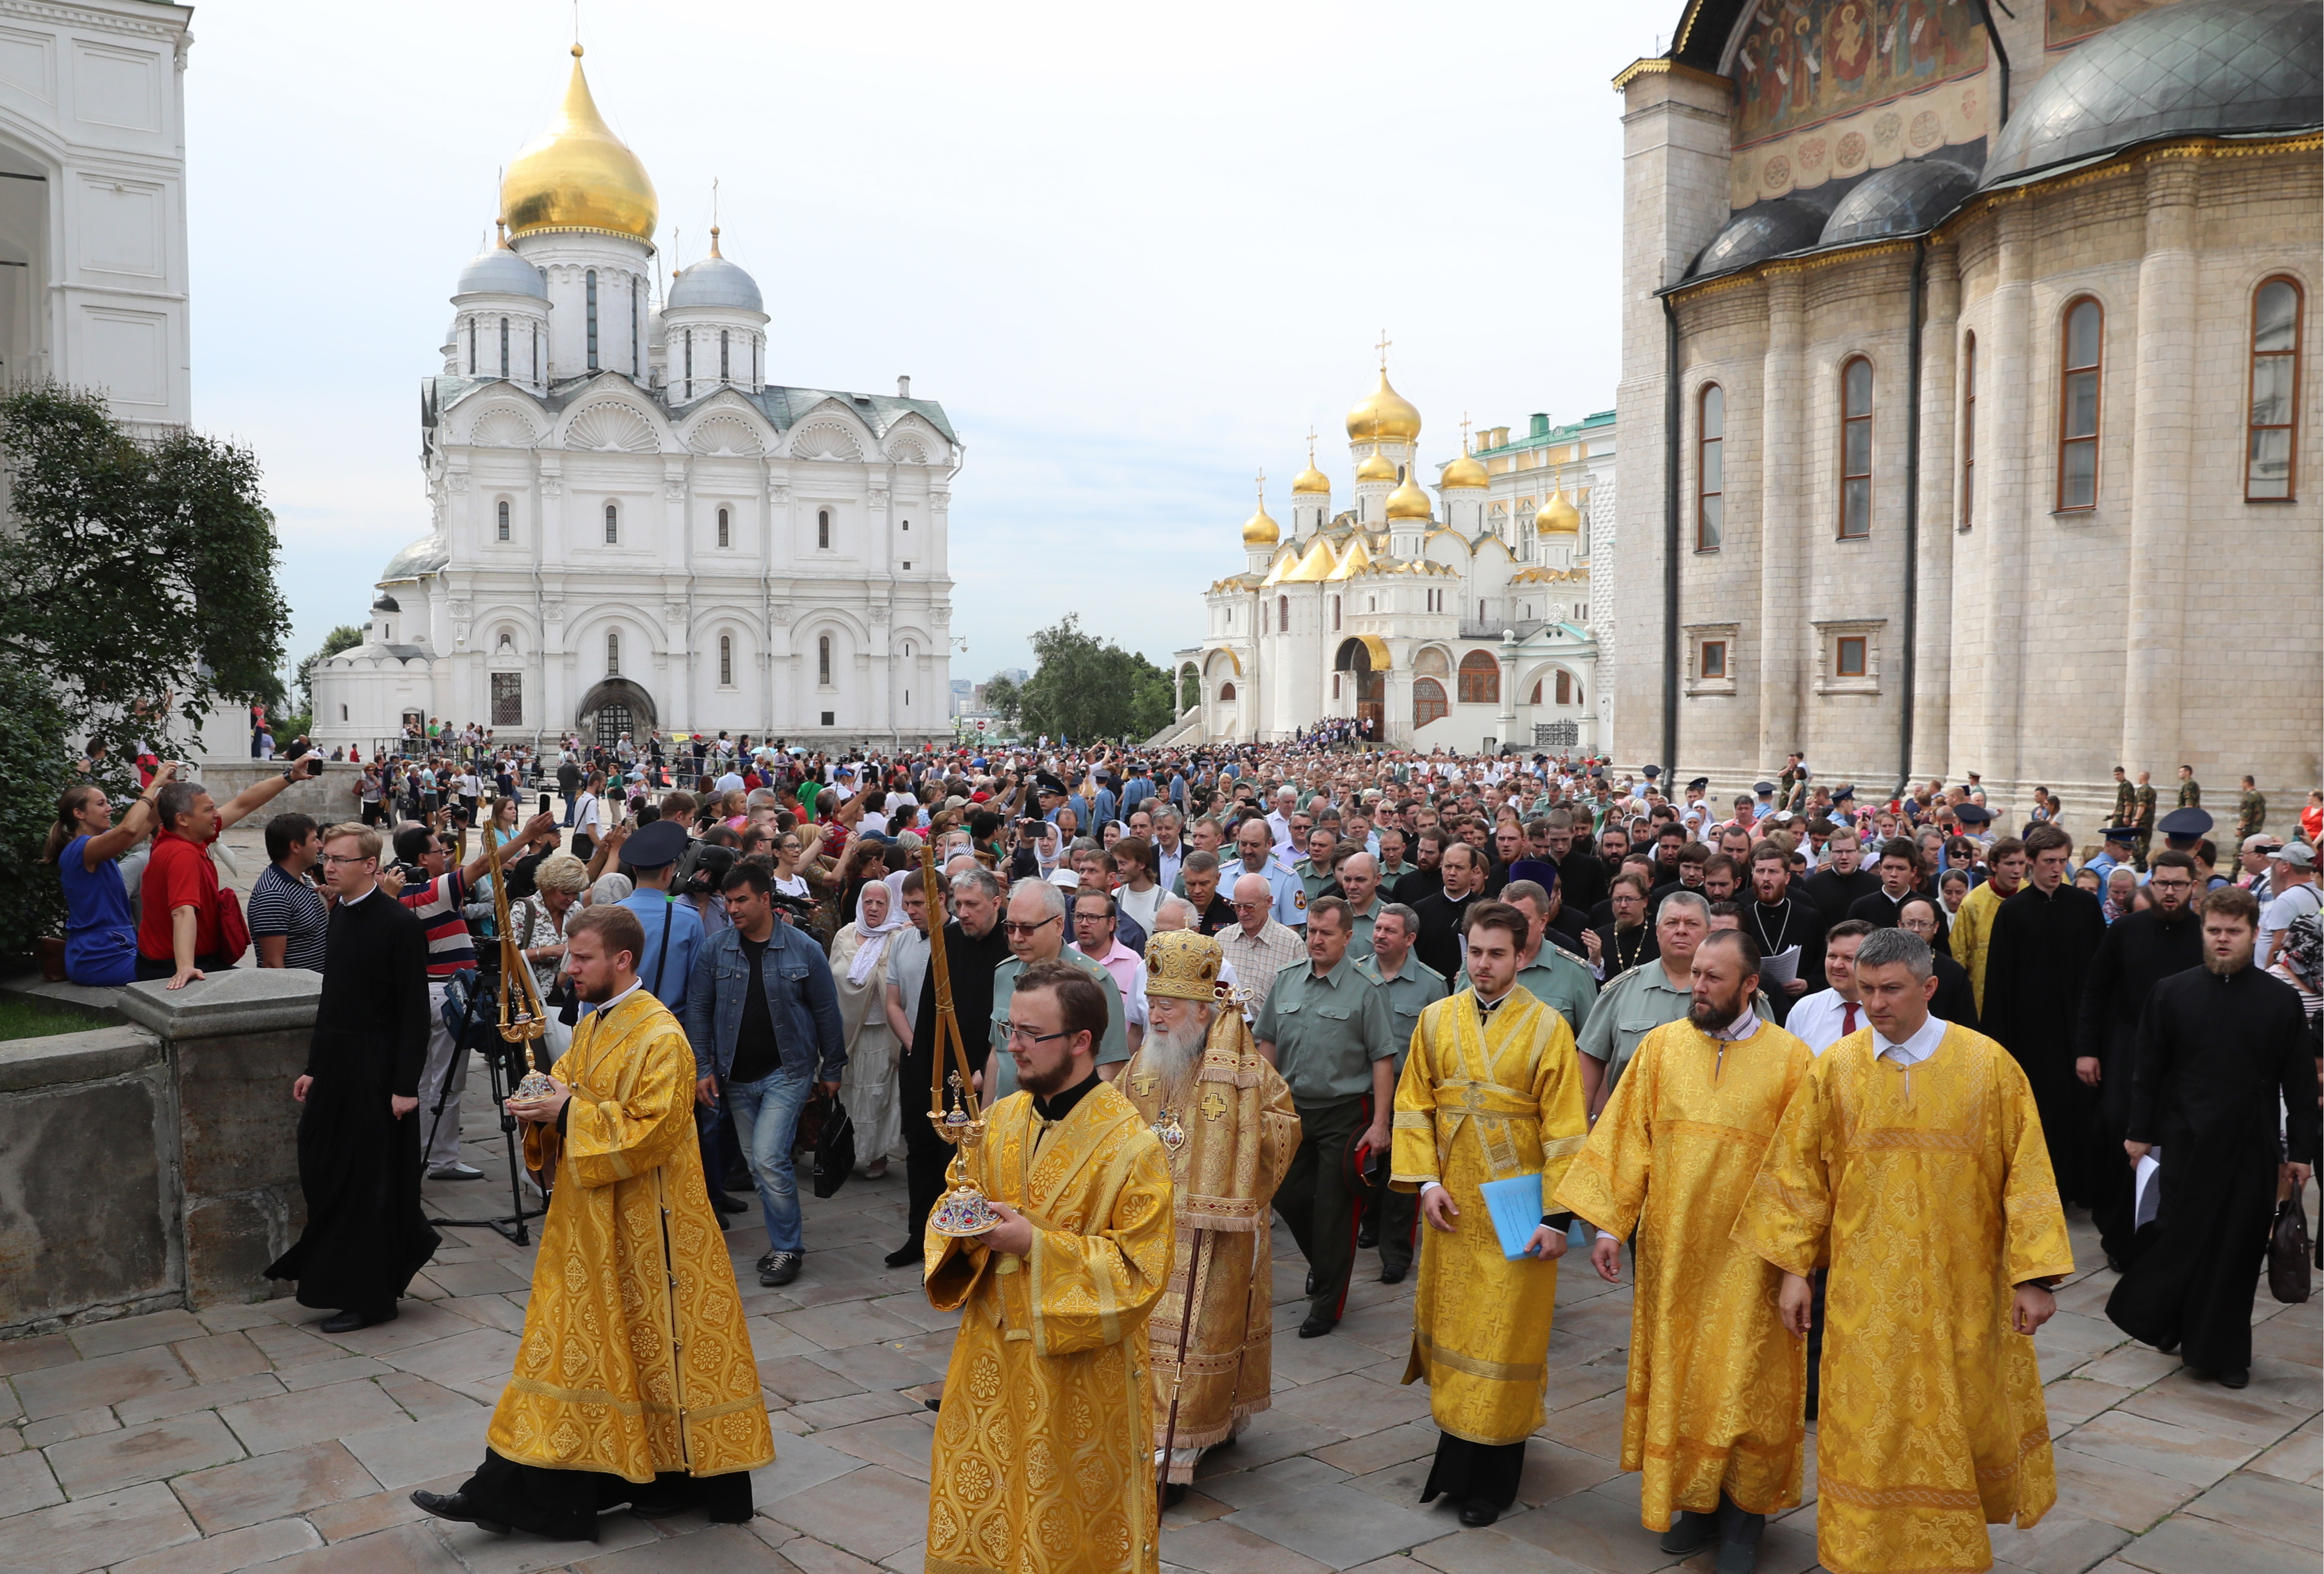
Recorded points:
(1716, 1385)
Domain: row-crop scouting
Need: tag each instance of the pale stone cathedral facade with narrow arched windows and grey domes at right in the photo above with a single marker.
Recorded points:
(1970, 403)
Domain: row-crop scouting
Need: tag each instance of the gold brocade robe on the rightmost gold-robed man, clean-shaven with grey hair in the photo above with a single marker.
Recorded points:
(1930, 1192)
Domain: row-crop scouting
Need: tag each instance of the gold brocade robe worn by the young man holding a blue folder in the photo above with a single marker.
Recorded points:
(1484, 1103)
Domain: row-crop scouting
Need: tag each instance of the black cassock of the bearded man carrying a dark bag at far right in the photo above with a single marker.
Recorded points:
(2216, 1064)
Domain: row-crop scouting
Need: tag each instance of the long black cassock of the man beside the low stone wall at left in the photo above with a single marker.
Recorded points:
(357, 1164)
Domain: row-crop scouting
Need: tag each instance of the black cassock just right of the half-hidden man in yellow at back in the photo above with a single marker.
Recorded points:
(2035, 971)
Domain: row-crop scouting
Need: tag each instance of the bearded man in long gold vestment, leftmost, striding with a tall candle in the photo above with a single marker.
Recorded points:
(636, 1382)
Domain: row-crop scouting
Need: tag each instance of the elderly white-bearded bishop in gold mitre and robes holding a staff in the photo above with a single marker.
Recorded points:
(1226, 1117)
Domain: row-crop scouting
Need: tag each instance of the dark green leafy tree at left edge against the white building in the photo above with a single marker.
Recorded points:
(136, 573)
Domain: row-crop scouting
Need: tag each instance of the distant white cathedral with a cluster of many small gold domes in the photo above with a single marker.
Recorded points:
(1463, 624)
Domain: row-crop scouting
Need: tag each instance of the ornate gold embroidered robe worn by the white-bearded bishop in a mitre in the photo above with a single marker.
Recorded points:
(1240, 1138)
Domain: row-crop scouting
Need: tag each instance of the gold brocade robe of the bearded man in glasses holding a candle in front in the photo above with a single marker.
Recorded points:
(1045, 1445)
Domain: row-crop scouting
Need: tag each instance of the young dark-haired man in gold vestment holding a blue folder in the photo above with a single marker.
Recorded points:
(1491, 1092)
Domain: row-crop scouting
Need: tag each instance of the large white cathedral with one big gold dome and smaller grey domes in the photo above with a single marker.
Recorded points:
(631, 524)
